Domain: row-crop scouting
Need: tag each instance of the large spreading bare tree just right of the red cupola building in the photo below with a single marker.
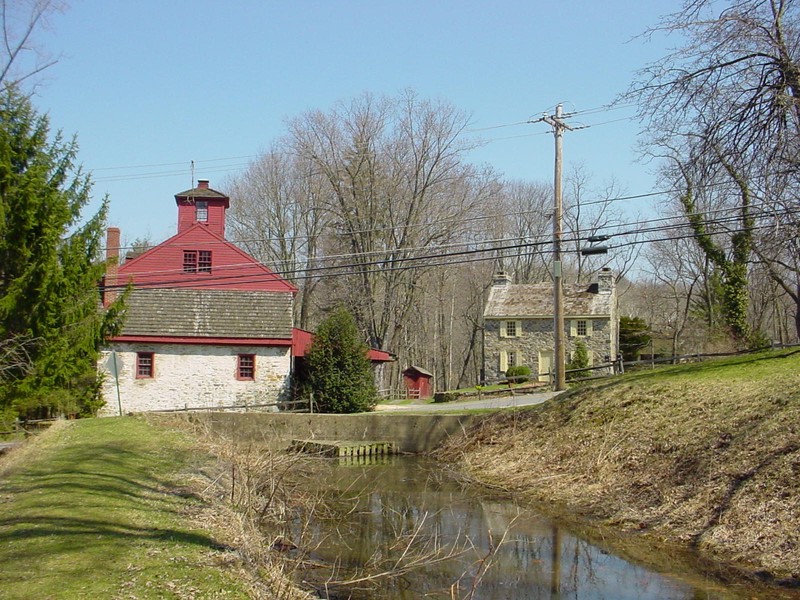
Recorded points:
(398, 190)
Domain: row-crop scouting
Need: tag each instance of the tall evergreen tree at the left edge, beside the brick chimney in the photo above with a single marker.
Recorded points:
(49, 269)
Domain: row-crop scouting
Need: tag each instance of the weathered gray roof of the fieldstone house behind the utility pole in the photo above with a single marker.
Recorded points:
(536, 300)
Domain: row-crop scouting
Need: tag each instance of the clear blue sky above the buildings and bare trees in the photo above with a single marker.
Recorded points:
(149, 86)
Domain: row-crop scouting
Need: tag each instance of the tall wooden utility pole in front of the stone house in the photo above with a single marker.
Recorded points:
(560, 380)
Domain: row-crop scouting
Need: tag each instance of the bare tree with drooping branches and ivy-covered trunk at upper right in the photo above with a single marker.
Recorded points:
(725, 106)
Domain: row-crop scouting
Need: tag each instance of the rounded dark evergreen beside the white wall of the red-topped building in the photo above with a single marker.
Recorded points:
(339, 372)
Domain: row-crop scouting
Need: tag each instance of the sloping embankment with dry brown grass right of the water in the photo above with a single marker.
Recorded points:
(706, 456)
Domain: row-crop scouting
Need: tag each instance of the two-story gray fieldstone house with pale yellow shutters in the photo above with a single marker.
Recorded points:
(518, 324)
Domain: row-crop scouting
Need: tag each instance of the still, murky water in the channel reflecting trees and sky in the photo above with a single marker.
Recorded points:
(407, 510)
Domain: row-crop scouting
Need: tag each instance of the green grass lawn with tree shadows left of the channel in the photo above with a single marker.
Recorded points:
(95, 509)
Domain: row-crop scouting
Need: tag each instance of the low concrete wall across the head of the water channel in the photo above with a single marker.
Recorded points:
(413, 433)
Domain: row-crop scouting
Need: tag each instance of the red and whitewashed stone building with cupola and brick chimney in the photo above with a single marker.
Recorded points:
(205, 324)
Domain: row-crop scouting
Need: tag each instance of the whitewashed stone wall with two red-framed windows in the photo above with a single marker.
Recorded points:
(194, 376)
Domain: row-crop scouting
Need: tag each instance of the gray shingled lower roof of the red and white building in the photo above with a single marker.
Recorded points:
(208, 313)
